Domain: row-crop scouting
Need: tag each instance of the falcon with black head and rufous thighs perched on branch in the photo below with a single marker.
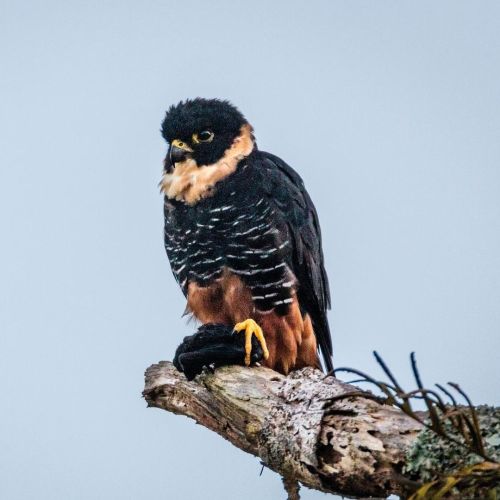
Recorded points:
(242, 236)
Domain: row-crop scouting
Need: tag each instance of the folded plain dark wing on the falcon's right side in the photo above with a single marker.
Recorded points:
(288, 195)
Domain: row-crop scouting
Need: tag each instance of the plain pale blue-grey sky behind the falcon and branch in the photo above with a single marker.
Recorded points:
(389, 110)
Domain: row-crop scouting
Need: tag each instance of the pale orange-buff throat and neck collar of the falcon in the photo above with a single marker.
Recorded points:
(190, 183)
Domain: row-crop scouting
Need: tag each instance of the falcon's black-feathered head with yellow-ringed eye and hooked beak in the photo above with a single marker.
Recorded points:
(202, 130)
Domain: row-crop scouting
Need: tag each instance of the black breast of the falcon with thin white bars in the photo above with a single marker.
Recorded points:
(235, 230)
